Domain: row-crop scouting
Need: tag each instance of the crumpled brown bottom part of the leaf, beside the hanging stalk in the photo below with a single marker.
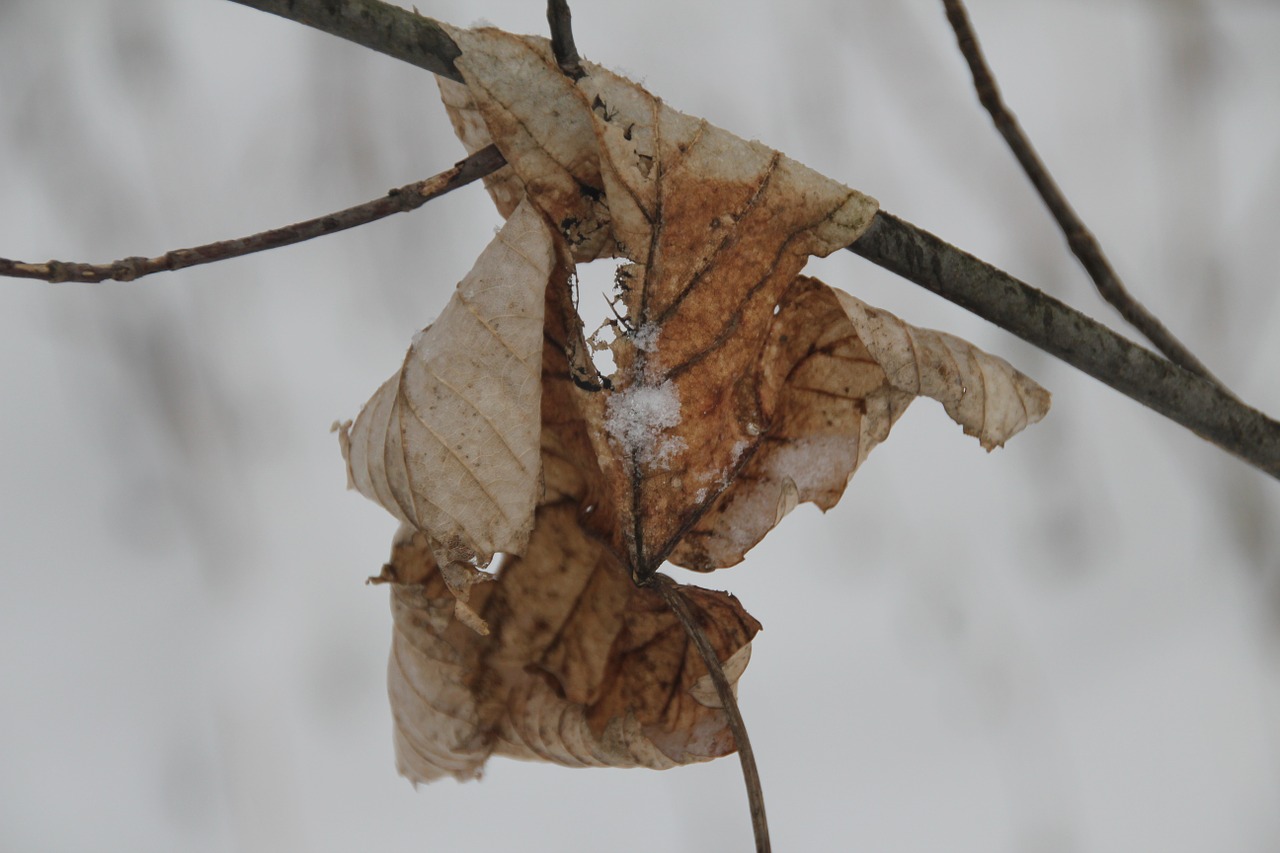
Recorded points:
(582, 668)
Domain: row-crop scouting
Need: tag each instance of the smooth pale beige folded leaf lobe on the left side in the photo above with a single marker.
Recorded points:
(451, 444)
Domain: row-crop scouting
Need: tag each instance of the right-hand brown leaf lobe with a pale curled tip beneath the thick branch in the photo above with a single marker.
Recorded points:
(836, 375)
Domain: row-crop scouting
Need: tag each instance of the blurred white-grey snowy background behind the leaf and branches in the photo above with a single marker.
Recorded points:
(1069, 645)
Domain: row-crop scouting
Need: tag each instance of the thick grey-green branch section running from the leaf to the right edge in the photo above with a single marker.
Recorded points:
(1185, 398)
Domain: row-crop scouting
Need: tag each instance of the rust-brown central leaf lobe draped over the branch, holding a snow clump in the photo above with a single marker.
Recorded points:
(717, 230)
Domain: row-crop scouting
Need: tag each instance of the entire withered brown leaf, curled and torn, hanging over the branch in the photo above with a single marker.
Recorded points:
(742, 390)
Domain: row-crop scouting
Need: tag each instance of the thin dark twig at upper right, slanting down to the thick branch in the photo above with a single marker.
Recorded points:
(1078, 236)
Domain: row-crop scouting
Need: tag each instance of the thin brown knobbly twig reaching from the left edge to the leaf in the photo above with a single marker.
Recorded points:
(403, 200)
